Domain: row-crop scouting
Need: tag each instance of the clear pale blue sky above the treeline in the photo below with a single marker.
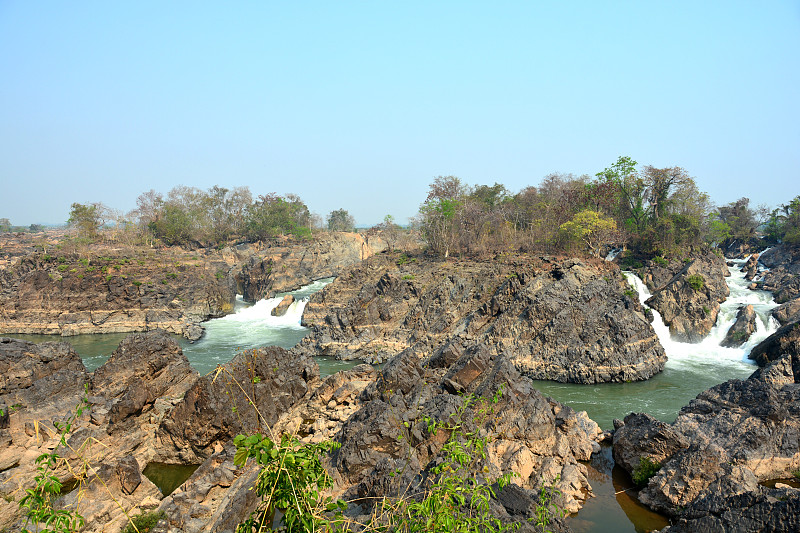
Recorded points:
(360, 105)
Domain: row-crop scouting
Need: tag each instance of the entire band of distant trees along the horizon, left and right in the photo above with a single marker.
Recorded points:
(650, 211)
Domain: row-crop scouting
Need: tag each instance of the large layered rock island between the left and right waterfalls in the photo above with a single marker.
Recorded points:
(567, 320)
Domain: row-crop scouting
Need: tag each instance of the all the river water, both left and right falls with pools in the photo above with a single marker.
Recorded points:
(691, 369)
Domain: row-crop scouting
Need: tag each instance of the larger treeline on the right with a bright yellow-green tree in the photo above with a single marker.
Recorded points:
(650, 211)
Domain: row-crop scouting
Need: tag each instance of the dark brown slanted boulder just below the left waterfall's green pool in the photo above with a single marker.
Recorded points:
(217, 408)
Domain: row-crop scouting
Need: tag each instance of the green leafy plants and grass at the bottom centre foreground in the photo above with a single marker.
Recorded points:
(292, 483)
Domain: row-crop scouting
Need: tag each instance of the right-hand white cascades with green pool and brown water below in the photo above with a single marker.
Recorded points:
(690, 369)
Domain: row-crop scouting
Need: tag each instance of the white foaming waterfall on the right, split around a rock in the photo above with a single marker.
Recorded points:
(709, 350)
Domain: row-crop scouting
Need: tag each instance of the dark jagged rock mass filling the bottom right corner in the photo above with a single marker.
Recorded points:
(738, 433)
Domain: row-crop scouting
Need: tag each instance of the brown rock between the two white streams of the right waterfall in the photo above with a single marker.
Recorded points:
(689, 300)
